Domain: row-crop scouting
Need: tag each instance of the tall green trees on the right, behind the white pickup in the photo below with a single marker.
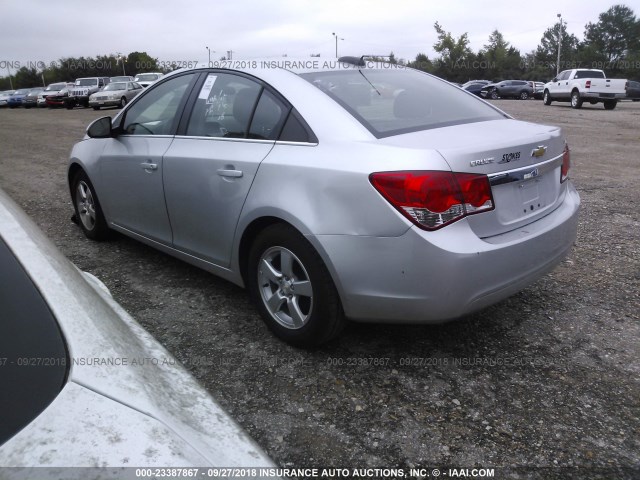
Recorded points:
(611, 44)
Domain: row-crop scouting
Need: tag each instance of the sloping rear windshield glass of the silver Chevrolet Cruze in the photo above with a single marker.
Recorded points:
(400, 100)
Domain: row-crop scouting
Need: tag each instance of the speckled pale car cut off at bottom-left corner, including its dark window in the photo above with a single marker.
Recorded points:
(84, 385)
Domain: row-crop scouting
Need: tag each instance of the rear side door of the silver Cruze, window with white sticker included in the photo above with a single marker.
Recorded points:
(210, 166)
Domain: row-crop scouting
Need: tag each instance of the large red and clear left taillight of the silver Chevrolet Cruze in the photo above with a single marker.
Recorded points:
(433, 199)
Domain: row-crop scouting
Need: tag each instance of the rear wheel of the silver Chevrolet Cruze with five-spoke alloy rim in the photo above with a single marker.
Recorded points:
(304, 318)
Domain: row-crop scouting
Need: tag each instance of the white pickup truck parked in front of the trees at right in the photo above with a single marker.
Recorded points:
(584, 85)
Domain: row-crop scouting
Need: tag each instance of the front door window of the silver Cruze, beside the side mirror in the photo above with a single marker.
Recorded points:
(155, 113)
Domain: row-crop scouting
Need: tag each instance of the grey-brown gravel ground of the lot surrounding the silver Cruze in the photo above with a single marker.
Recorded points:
(543, 385)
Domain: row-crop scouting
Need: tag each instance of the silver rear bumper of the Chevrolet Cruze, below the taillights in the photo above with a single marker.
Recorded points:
(433, 277)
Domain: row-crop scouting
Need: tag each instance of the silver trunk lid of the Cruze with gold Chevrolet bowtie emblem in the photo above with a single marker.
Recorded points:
(523, 162)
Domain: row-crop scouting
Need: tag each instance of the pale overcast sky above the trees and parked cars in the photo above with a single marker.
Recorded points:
(37, 31)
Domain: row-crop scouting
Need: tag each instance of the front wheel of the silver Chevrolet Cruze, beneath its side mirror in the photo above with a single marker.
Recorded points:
(88, 211)
